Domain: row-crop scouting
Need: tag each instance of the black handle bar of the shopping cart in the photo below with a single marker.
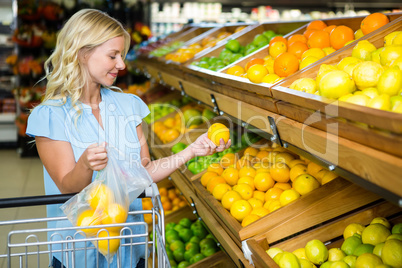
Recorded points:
(39, 200)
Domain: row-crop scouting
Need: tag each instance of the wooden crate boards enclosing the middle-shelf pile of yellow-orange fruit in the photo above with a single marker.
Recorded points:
(327, 202)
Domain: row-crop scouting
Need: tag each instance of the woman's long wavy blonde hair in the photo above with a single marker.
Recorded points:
(83, 32)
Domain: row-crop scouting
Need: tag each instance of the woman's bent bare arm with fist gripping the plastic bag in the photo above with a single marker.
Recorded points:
(58, 159)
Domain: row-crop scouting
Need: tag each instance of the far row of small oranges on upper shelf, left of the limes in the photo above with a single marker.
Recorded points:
(186, 53)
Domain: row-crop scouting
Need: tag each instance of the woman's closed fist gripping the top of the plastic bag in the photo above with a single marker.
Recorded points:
(95, 156)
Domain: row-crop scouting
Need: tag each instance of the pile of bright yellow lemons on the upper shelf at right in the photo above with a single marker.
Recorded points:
(370, 77)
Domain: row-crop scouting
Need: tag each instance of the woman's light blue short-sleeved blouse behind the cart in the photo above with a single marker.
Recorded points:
(121, 113)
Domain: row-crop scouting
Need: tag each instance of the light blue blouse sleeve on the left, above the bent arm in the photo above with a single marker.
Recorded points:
(47, 121)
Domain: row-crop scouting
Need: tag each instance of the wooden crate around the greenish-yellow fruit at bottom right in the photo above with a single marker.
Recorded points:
(329, 233)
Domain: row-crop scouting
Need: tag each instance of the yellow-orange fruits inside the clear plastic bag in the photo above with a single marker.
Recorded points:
(103, 209)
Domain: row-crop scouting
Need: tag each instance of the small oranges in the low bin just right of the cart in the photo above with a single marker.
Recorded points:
(171, 200)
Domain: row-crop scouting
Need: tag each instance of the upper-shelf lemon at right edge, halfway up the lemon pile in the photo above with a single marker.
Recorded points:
(390, 81)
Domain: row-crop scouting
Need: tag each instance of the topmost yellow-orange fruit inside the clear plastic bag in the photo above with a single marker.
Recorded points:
(99, 196)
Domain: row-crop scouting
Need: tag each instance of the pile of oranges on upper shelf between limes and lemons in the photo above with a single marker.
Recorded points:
(288, 55)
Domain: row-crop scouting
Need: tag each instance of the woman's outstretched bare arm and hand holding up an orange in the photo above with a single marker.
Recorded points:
(161, 168)
